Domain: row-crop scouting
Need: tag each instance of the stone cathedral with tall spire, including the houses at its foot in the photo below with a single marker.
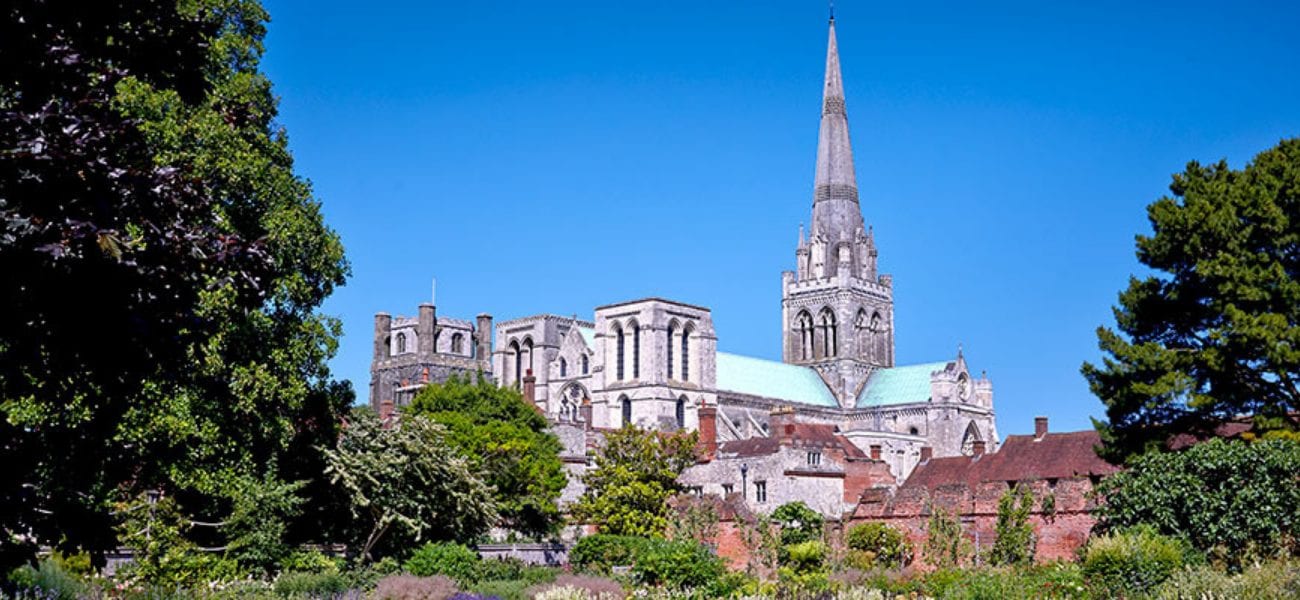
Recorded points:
(834, 418)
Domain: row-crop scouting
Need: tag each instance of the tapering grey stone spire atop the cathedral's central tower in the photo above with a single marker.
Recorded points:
(835, 198)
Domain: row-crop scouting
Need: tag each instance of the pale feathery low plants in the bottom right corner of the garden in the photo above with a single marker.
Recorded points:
(1269, 581)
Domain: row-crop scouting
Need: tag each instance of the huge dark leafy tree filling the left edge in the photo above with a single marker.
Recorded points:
(163, 267)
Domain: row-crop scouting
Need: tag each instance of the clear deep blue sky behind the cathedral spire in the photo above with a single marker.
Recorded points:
(558, 156)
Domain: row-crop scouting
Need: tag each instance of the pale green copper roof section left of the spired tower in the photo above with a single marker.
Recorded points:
(759, 377)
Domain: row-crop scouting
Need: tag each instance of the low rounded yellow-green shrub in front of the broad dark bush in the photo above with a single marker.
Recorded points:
(1132, 563)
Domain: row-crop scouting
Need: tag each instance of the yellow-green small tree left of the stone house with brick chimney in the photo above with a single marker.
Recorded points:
(635, 475)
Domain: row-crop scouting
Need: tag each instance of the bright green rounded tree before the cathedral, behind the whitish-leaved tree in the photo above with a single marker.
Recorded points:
(508, 441)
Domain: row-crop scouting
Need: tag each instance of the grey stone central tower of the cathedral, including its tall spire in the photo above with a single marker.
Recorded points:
(837, 310)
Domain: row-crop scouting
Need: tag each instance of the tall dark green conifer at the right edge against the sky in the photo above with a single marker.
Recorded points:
(1215, 332)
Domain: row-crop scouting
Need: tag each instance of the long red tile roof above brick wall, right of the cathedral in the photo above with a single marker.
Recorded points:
(1022, 458)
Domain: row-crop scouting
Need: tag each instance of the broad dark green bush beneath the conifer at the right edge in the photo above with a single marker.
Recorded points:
(1236, 501)
